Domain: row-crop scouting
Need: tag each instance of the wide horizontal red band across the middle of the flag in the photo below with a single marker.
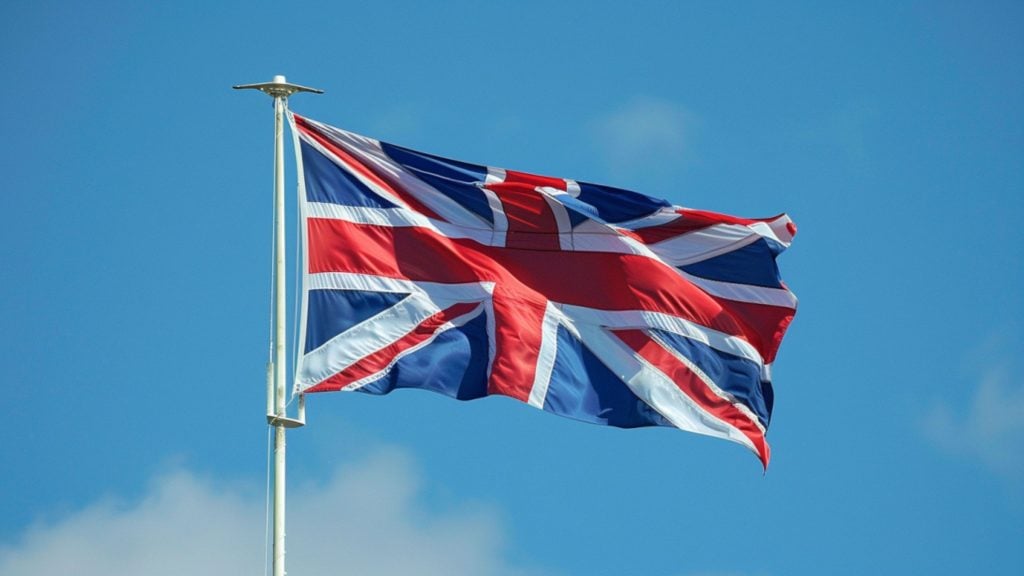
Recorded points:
(596, 280)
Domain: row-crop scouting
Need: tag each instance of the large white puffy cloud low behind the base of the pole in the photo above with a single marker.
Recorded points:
(365, 520)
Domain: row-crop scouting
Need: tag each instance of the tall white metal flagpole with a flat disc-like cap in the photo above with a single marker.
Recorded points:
(280, 90)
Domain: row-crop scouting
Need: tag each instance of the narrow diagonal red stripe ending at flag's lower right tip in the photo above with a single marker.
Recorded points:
(696, 389)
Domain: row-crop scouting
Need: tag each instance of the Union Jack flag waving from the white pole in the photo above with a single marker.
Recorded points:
(584, 301)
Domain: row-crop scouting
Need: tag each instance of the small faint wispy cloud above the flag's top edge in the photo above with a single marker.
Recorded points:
(647, 134)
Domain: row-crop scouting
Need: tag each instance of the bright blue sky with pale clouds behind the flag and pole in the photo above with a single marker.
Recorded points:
(136, 263)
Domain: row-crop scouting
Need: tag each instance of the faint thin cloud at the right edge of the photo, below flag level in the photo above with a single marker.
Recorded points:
(991, 431)
